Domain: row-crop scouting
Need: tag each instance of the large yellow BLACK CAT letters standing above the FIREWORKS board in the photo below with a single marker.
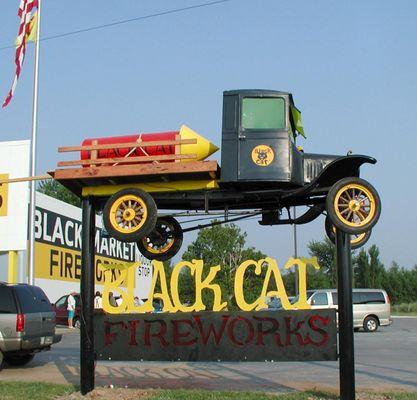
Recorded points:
(126, 276)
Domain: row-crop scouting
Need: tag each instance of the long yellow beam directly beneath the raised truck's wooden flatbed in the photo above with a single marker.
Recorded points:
(157, 187)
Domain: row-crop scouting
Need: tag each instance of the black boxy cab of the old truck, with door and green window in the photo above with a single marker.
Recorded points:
(259, 129)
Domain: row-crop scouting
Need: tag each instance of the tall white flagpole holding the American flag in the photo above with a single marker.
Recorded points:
(31, 267)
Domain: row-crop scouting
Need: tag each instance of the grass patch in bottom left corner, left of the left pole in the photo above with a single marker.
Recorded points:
(33, 390)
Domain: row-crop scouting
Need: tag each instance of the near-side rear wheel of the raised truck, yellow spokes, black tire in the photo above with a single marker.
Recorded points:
(129, 225)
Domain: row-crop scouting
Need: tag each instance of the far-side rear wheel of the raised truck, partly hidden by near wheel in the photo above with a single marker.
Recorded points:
(164, 241)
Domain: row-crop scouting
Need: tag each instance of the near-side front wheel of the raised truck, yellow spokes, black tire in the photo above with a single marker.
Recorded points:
(353, 205)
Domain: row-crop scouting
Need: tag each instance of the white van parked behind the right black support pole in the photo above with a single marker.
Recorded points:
(371, 307)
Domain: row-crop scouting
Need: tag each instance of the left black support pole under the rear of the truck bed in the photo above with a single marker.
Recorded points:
(87, 297)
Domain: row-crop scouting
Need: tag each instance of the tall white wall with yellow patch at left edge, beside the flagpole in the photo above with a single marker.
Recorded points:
(14, 163)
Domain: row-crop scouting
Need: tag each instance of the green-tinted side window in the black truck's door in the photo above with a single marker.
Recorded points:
(264, 113)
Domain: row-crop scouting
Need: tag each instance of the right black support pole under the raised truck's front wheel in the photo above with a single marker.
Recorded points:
(346, 344)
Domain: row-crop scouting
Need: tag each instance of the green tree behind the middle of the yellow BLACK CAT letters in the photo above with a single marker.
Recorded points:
(224, 246)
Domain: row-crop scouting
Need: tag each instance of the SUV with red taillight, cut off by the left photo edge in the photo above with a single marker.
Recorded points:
(27, 323)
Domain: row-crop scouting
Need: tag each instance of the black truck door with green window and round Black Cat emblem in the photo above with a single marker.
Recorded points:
(263, 148)
